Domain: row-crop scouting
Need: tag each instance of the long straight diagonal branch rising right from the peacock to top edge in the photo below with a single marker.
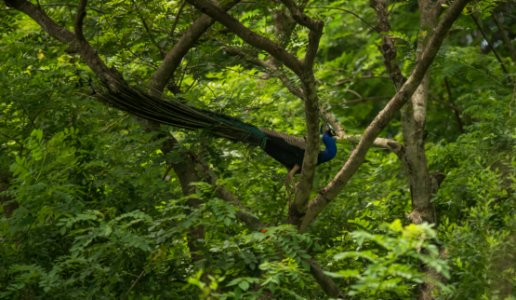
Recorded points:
(381, 120)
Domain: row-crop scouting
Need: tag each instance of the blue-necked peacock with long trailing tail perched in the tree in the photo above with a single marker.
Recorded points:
(286, 149)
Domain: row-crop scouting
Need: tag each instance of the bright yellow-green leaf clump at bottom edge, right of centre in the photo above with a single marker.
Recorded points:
(387, 265)
